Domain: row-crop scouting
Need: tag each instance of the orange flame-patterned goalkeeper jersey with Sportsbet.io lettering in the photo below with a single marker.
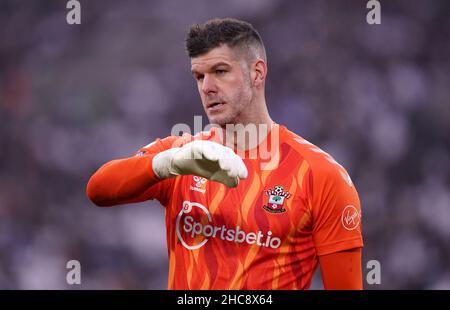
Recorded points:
(297, 203)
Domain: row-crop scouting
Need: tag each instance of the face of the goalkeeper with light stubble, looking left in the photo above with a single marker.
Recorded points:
(224, 85)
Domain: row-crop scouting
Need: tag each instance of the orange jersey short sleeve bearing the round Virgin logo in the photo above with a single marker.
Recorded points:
(336, 210)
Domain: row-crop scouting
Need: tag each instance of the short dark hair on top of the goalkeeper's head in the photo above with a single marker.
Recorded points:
(202, 38)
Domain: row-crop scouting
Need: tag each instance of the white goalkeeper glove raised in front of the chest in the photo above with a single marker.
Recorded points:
(207, 159)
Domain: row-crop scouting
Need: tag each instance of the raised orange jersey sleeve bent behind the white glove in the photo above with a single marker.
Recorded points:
(132, 179)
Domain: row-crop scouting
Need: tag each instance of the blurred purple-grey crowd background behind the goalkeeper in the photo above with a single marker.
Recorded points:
(376, 97)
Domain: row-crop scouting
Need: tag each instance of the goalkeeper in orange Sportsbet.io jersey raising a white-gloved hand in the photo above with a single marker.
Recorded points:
(236, 218)
